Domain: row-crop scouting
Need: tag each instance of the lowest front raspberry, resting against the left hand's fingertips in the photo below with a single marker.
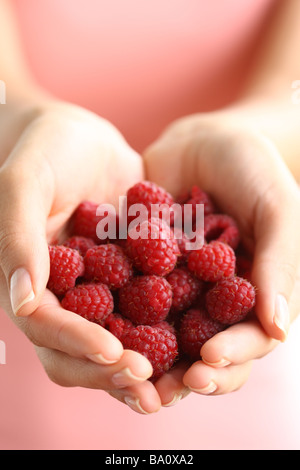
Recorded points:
(158, 345)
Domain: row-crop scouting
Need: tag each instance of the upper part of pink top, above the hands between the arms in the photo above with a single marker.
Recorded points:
(142, 62)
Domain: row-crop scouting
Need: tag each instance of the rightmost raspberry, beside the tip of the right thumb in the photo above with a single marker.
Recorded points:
(230, 300)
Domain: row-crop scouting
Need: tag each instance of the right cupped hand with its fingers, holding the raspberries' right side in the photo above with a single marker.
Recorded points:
(248, 179)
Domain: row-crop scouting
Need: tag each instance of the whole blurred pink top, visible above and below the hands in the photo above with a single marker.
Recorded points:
(142, 65)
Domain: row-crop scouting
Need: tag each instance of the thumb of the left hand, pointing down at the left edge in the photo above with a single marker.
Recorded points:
(24, 256)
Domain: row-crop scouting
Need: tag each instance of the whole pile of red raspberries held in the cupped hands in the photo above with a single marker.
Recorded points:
(152, 291)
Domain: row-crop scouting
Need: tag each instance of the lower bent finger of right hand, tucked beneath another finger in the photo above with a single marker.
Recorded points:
(206, 380)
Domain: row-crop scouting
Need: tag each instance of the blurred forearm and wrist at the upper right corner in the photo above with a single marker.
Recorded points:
(268, 102)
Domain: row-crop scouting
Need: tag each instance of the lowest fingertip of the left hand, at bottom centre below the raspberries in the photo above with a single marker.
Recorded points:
(142, 398)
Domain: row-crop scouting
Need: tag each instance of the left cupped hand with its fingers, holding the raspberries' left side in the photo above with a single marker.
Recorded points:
(52, 158)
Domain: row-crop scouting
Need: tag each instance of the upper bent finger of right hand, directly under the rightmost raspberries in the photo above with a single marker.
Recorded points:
(238, 344)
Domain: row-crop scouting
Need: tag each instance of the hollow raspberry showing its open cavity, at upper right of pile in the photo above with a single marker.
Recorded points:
(223, 228)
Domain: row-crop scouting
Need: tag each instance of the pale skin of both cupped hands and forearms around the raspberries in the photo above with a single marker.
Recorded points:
(246, 156)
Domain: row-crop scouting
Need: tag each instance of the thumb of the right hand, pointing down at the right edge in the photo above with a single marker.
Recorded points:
(277, 257)
